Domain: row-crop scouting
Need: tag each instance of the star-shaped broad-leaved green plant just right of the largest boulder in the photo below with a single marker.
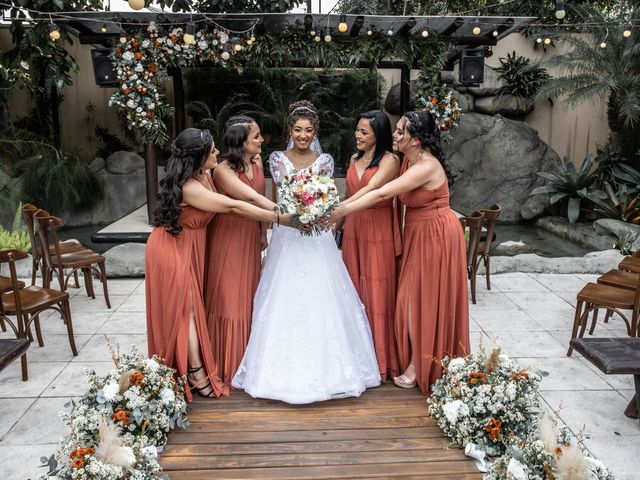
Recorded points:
(569, 185)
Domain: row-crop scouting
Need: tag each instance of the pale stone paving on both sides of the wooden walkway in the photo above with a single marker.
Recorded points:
(528, 315)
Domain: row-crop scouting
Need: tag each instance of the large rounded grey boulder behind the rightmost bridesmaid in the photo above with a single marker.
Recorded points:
(496, 160)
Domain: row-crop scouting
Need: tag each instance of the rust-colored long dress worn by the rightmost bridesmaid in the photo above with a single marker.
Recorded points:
(432, 289)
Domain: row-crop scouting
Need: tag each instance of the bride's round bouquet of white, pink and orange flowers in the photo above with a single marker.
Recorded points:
(311, 196)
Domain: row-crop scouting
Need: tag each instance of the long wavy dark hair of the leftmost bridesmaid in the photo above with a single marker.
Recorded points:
(189, 152)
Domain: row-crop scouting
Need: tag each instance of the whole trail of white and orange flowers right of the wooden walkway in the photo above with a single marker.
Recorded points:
(489, 404)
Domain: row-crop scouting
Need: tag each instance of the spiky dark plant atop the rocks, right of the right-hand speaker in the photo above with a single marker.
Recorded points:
(523, 77)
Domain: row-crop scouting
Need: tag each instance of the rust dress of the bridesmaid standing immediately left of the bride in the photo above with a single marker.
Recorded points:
(231, 280)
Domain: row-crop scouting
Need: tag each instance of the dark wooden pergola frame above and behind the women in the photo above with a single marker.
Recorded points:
(101, 28)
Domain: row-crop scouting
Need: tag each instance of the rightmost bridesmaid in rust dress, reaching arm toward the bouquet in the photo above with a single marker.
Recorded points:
(432, 308)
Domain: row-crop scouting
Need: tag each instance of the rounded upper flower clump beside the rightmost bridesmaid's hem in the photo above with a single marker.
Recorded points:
(481, 399)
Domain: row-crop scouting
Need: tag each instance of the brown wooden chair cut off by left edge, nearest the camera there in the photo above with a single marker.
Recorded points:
(27, 303)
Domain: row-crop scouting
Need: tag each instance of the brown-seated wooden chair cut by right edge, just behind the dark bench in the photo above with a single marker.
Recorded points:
(595, 296)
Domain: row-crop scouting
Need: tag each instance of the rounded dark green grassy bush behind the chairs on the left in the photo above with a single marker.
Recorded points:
(58, 181)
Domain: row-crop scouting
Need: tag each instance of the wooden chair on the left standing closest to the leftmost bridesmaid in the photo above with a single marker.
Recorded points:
(57, 262)
